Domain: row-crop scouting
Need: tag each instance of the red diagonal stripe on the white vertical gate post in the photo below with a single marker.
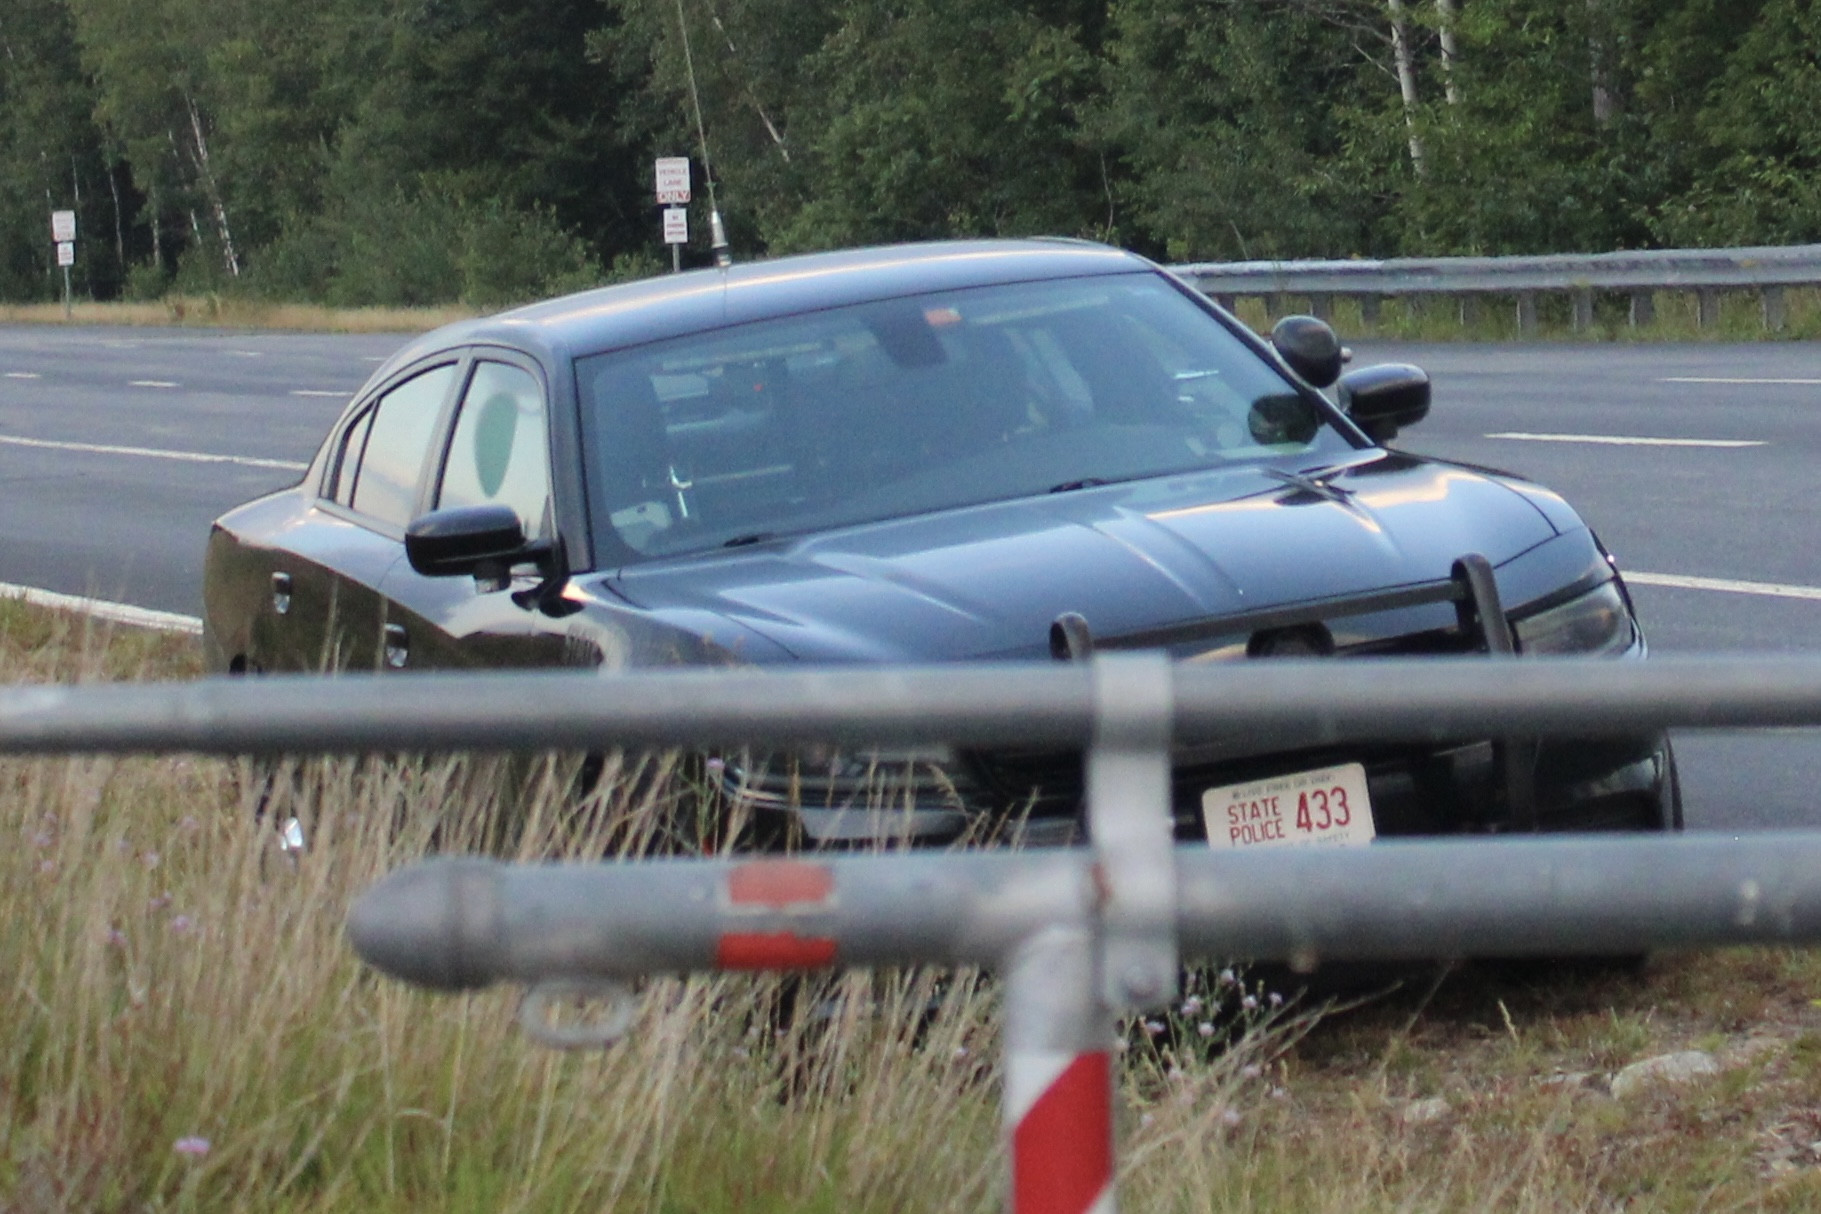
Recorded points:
(1063, 1149)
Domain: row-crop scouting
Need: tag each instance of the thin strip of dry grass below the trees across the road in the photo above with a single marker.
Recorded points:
(239, 314)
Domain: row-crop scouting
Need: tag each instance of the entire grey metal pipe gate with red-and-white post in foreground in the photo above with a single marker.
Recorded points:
(1077, 935)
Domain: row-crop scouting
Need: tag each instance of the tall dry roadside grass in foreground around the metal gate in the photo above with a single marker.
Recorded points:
(176, 978)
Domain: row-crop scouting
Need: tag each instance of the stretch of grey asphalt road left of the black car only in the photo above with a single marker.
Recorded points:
(119, 503)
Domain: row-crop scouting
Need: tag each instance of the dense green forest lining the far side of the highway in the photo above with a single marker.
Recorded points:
(482, 152)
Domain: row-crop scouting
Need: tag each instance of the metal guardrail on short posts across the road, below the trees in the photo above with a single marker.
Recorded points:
(1636, 274)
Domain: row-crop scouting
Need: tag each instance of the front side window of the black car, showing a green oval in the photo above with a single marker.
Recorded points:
(500, 452)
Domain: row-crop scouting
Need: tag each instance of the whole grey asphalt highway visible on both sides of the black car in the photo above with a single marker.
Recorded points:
(119, 447)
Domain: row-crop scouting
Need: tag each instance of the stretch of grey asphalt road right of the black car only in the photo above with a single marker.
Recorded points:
(1744, 516)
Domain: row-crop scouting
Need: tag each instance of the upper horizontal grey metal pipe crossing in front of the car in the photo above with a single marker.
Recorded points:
(1276, 703)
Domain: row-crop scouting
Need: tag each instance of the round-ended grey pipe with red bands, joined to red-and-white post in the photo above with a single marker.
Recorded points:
(1083, 940)
